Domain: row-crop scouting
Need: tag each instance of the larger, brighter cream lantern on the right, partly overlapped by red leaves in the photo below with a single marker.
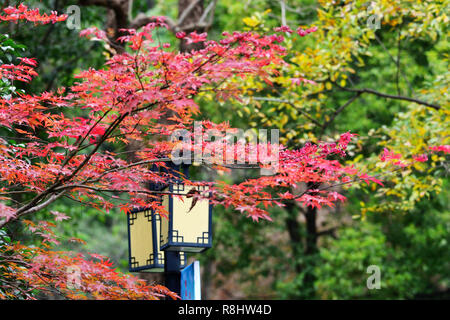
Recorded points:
(187, 228)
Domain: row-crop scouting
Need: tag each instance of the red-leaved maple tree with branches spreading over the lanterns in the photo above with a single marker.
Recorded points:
(67, 156)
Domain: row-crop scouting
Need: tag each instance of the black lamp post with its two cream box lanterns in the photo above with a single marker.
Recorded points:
(158, 244)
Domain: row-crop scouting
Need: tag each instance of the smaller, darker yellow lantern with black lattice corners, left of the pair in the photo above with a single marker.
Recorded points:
(143, 242)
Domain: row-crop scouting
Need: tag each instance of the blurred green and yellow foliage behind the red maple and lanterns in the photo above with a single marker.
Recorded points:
(403, 227)
